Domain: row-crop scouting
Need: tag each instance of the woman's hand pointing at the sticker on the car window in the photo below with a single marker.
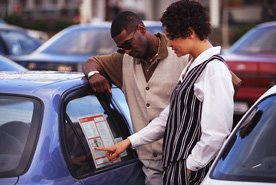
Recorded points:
(113, 151)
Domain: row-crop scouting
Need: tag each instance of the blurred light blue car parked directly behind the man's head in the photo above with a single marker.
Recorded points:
(70, 48)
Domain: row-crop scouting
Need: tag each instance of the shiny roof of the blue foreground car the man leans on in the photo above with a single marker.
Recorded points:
(36, 83)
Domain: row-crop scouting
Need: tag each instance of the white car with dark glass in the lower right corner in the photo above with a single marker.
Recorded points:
(249, 155)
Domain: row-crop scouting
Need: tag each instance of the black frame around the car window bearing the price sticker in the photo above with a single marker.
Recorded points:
(72, 94)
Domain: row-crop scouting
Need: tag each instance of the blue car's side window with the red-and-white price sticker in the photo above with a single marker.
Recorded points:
(93, 121)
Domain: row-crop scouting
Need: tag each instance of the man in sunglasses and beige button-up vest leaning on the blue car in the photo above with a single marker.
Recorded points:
(147, 71)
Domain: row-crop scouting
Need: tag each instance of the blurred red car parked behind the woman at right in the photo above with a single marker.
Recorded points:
(253, 59)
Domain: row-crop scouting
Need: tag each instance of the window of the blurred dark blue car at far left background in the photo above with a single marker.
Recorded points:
(18, 43)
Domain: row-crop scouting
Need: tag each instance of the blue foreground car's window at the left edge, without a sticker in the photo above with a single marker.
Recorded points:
(18, 124)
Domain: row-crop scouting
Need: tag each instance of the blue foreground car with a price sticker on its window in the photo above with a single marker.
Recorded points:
(50, 123)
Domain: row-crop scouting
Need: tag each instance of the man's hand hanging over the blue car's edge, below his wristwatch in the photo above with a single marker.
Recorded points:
(99, 83)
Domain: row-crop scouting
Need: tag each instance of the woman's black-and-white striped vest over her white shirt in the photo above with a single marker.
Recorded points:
(183, 125)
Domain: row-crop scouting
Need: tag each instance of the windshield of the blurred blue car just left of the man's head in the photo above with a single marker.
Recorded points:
(84, 40)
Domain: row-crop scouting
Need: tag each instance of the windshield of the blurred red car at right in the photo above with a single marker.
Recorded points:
(261, 40)
